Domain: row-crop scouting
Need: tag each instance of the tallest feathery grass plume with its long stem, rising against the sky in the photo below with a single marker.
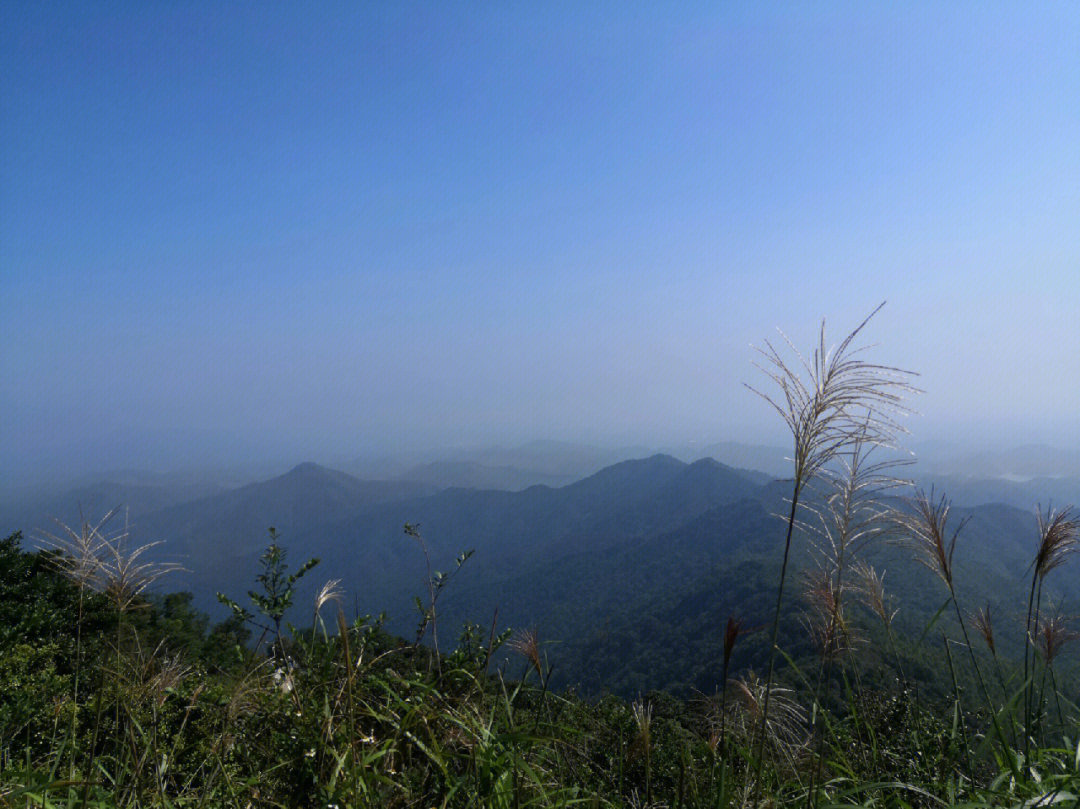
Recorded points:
(828, 402)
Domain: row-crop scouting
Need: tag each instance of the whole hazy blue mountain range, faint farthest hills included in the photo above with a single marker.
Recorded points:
(609, 564)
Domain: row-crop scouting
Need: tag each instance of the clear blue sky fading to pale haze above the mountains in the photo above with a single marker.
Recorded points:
(314, 231)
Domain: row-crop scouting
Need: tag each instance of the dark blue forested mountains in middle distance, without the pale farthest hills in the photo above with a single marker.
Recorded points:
(628, 572)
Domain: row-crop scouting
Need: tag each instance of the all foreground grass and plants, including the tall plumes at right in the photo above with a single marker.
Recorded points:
(107, 702)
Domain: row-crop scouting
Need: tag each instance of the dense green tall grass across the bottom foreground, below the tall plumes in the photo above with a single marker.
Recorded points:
(362, 720)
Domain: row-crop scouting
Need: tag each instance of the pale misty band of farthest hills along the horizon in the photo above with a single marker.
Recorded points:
(1021, 477)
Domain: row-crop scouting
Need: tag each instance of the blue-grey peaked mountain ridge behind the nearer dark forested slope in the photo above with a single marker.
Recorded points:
(356, 527)
